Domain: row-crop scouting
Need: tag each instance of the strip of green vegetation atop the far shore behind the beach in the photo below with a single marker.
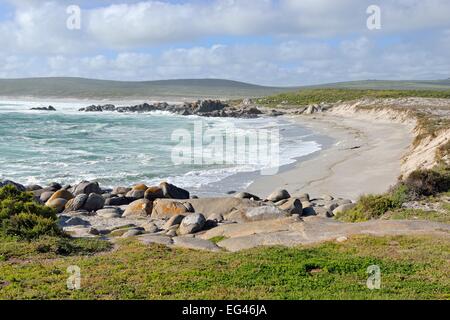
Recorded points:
(305, 97)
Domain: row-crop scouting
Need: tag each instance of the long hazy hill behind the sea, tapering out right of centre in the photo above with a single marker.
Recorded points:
(106, 89)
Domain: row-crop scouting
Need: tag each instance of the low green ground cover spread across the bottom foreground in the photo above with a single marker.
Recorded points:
(411, 268)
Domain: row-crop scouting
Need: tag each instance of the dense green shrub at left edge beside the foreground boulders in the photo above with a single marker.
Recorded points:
(22, 217)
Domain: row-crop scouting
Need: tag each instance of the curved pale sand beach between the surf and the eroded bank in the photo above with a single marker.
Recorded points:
(339, 170)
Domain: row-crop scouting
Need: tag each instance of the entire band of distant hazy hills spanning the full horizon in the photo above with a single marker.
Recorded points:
(65, 87)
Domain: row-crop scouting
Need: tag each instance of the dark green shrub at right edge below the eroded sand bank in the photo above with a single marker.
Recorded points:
(428, 182)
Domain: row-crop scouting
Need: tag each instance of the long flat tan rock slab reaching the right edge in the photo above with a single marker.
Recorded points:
(318, 229)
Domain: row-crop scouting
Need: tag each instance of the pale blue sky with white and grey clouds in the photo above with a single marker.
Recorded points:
(267, 42)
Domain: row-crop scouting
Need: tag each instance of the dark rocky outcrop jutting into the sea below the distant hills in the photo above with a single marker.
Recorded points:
(205, 108)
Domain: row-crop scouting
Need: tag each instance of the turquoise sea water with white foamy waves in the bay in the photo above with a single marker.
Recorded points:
(120, 149)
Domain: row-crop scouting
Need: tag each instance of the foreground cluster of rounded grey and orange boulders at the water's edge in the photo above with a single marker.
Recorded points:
(169, 214)
